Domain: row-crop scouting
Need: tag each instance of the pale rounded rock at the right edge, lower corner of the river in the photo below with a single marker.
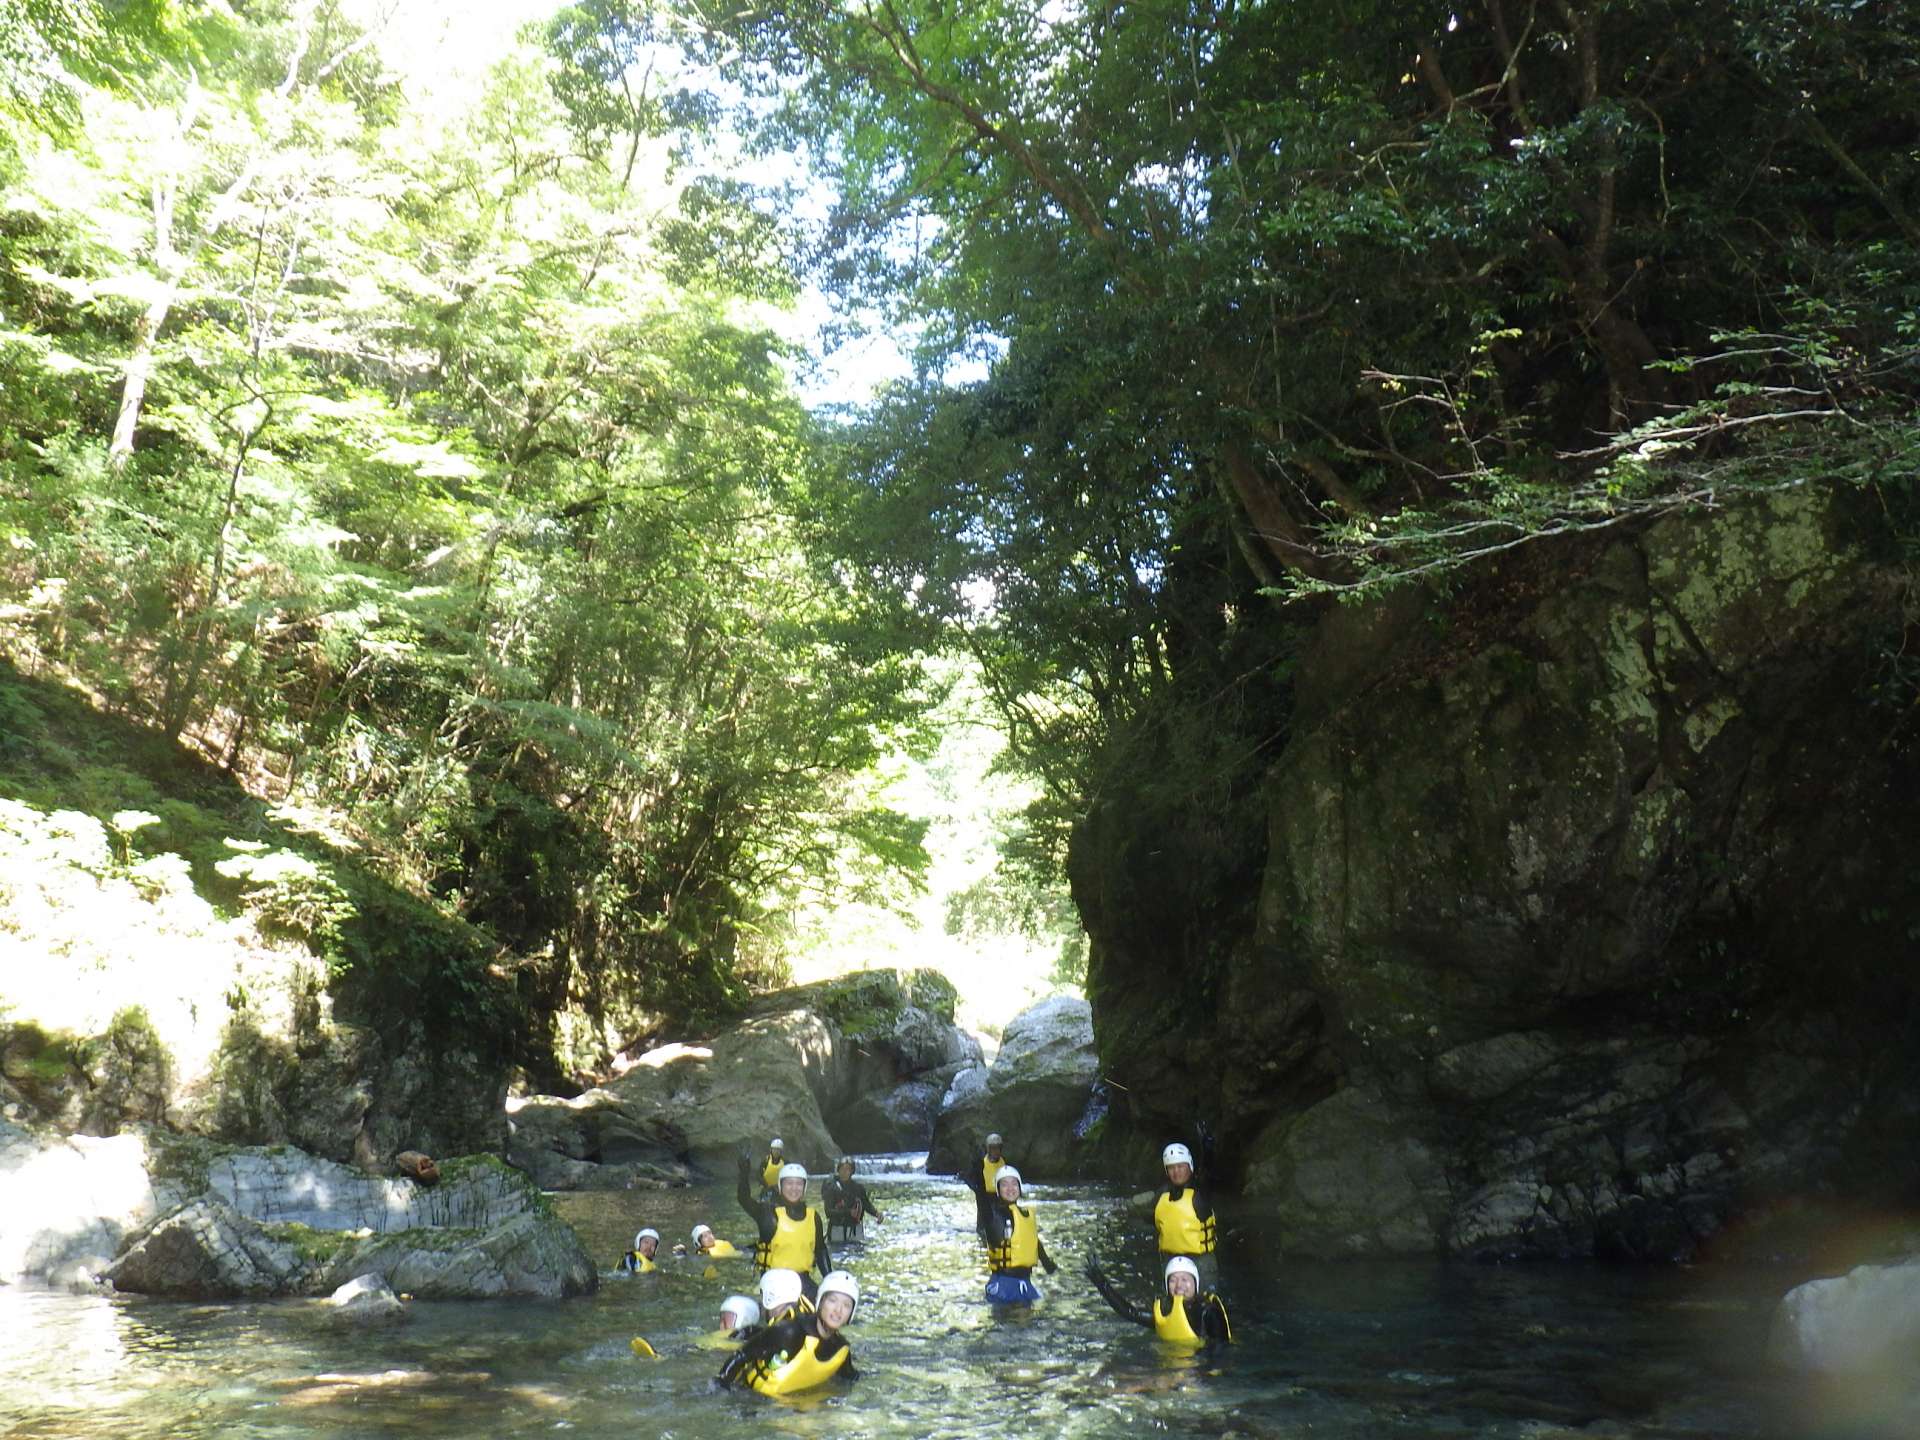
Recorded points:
(1861, 1324)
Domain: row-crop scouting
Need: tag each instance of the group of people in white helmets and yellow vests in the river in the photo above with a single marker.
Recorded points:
(794, 1335)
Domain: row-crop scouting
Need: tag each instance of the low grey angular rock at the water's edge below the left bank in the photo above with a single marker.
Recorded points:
(285, 1224)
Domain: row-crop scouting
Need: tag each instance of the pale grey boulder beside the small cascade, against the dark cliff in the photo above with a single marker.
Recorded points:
(1036, 1093)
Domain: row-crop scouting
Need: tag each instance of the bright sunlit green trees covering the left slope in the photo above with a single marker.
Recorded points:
(431, 473)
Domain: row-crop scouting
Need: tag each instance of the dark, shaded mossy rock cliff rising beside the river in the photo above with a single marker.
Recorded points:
(1581, 926)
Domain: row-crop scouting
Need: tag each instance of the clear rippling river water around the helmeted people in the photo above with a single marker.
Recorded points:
(1328, 1351)
